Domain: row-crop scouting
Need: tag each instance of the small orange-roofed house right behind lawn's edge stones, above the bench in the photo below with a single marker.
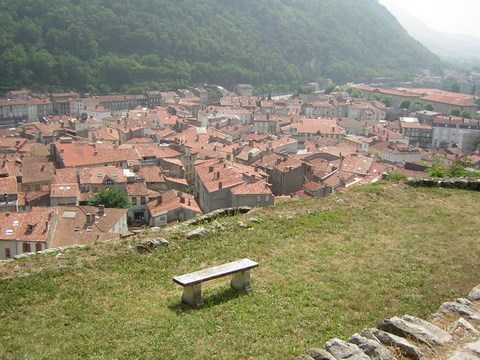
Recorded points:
(172, 206)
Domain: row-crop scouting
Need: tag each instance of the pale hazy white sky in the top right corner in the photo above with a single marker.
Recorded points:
(452, 16)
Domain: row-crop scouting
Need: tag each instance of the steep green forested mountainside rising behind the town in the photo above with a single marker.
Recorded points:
(111, 45)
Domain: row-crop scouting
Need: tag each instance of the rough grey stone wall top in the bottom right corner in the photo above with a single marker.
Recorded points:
(410, 337)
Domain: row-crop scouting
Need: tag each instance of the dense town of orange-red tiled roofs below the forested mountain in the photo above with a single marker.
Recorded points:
(178, 154)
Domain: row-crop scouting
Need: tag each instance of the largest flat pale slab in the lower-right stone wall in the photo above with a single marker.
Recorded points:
(416, 328)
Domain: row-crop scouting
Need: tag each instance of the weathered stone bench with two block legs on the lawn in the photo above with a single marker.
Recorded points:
(192, 290)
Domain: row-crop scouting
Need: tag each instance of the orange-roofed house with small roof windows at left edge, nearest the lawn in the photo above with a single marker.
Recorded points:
(26, 232)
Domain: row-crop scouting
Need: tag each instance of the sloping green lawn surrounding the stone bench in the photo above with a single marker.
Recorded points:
(328, 268)
